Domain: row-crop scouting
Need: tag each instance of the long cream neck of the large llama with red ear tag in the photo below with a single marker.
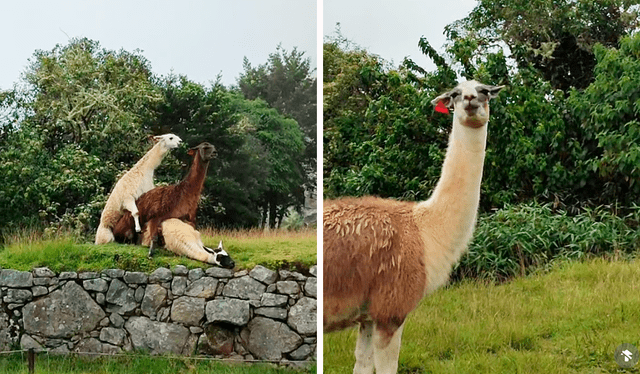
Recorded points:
(450, 213)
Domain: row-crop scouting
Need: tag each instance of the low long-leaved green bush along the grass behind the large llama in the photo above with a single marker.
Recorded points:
(518, 239)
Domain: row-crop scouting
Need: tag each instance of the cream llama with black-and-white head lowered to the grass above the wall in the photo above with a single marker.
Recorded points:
(181, 238)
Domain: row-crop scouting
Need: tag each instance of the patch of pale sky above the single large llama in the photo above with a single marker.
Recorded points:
(391, 29)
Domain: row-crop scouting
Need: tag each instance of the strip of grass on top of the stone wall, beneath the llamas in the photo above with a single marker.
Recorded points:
(273, 249)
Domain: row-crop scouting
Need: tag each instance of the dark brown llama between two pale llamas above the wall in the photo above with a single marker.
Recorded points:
(164, 202)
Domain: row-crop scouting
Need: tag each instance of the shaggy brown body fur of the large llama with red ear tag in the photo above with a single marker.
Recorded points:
(379, 270)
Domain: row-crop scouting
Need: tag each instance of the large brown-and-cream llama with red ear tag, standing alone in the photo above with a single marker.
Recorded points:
(381, 257)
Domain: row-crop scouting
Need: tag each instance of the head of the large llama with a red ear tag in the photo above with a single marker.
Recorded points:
(470, 102)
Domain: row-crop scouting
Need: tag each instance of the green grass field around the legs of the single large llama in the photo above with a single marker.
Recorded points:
(567, 320)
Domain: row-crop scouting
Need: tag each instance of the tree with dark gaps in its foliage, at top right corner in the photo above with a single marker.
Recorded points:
(556, 37)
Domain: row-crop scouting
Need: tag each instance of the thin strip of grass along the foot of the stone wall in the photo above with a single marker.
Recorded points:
(17, 363)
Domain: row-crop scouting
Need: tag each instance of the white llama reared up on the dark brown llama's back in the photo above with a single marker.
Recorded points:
(135, 182)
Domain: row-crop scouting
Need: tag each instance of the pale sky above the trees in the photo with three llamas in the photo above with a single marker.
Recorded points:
(197, 38)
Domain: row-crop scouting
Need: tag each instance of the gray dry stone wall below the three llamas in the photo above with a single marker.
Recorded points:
(249, 315)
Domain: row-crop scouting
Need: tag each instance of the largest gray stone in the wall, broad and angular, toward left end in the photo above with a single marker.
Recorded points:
(63, 313)
